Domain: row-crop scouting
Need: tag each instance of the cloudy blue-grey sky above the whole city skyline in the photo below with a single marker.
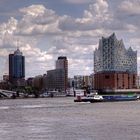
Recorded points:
(46, 29)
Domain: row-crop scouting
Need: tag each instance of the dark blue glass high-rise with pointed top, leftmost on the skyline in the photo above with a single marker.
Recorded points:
(16, 66)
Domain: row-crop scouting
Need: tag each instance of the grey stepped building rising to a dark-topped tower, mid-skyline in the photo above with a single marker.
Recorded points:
(57, 79)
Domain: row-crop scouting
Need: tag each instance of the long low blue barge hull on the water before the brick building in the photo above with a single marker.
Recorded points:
(120, 97)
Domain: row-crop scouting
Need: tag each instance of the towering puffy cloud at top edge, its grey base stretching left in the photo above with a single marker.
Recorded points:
(96, 17)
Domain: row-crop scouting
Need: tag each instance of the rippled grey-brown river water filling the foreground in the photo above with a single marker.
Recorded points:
(63, 119)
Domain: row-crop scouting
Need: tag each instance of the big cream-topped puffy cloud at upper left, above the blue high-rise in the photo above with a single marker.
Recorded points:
(37, 20)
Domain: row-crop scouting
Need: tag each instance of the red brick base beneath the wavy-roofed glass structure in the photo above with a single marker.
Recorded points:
(114, 80)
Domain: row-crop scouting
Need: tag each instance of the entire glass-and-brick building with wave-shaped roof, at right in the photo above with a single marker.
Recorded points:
(115, 67)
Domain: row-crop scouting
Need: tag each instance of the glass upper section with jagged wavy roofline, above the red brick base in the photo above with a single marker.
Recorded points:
(112, 55)
